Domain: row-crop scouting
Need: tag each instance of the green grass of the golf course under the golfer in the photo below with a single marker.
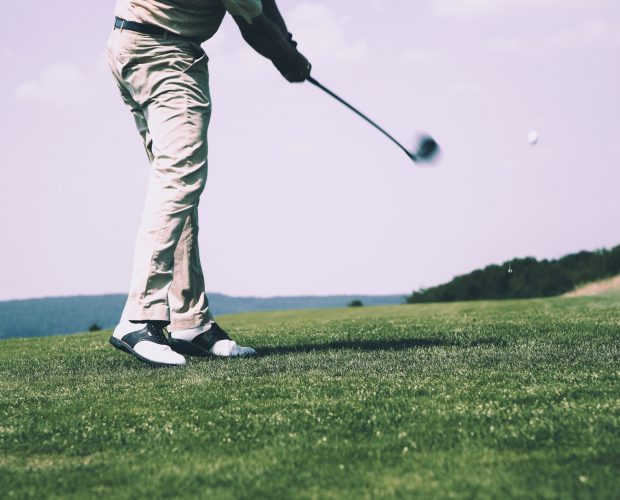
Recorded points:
(481, 399)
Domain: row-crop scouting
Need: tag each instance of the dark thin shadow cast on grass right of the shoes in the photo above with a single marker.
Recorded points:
(356, 345)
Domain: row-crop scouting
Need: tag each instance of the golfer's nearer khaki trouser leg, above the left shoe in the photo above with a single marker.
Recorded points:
(178, 117)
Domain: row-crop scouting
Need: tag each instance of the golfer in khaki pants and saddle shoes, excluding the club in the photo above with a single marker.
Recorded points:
(161, 70)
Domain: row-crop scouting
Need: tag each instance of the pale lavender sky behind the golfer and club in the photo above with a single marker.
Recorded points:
(303, 197)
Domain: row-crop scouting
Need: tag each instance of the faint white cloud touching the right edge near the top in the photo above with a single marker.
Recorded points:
(593, 33)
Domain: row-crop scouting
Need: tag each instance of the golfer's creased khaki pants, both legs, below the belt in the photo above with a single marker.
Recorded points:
(165, 83)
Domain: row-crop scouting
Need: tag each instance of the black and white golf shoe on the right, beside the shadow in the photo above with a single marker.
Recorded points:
(208, 340)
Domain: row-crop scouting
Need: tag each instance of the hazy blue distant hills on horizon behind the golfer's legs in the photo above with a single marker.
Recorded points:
(56, 315)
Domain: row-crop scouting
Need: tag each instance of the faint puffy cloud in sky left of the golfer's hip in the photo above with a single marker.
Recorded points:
(60, 85)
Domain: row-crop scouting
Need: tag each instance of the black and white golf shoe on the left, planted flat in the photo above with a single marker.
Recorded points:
(147, 342)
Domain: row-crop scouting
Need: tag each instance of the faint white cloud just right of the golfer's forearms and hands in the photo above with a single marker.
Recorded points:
(323, 34)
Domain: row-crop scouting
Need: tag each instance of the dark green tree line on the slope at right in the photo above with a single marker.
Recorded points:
(525, 278)
